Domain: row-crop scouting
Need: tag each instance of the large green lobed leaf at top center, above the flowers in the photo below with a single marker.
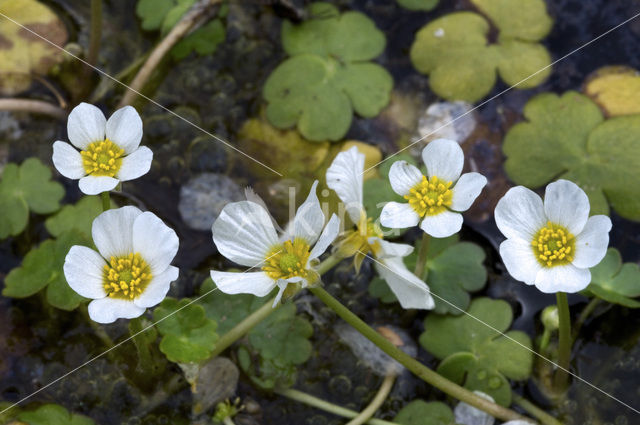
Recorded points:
(328, 75)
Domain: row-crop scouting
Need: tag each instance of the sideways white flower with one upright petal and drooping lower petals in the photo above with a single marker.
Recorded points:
(344, 176)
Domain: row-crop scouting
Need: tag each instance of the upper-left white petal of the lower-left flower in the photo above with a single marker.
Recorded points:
(112, 231)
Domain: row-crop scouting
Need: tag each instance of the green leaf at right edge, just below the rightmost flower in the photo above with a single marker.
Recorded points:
(615, 282)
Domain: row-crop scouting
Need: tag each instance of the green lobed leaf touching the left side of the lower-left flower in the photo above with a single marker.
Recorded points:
(42, 267)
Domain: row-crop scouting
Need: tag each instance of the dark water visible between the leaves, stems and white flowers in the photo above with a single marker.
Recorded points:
(219, 92)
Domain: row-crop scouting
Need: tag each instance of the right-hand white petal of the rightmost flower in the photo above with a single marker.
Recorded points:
(592, 242)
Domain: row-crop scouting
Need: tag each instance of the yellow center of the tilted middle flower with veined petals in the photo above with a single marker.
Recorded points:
(288, 260)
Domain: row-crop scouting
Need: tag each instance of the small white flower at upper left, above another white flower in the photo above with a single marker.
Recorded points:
(110, 151)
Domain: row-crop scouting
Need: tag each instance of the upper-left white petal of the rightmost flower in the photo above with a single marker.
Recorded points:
(520, 214)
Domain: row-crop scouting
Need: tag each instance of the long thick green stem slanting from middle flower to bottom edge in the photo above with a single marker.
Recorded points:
(413, 365)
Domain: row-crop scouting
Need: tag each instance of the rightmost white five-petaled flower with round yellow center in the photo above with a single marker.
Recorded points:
(551, 244)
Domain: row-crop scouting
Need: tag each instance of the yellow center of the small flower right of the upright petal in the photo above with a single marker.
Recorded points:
(430, 197)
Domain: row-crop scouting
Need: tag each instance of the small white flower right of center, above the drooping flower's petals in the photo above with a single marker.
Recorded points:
(437, 198)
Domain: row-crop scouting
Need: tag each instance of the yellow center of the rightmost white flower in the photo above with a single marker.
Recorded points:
(553, 245)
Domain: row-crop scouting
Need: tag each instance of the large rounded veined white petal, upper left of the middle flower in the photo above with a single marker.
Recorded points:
(244, 233)
